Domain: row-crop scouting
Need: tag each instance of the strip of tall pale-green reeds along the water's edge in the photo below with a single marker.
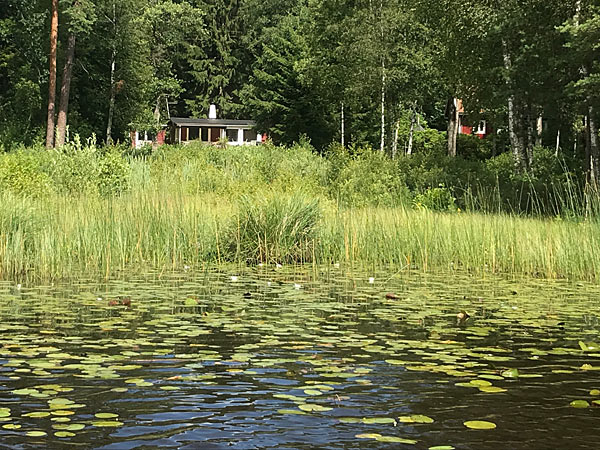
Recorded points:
(63, 238)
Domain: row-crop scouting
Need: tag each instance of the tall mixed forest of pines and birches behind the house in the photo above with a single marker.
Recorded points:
(362, 73)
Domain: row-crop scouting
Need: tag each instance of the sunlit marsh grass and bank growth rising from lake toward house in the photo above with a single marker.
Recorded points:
(192, 207)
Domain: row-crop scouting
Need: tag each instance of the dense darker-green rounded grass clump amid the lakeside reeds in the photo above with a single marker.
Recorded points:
(274, 228)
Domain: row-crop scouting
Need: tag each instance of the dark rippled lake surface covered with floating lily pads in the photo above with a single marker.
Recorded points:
(292, 358)
